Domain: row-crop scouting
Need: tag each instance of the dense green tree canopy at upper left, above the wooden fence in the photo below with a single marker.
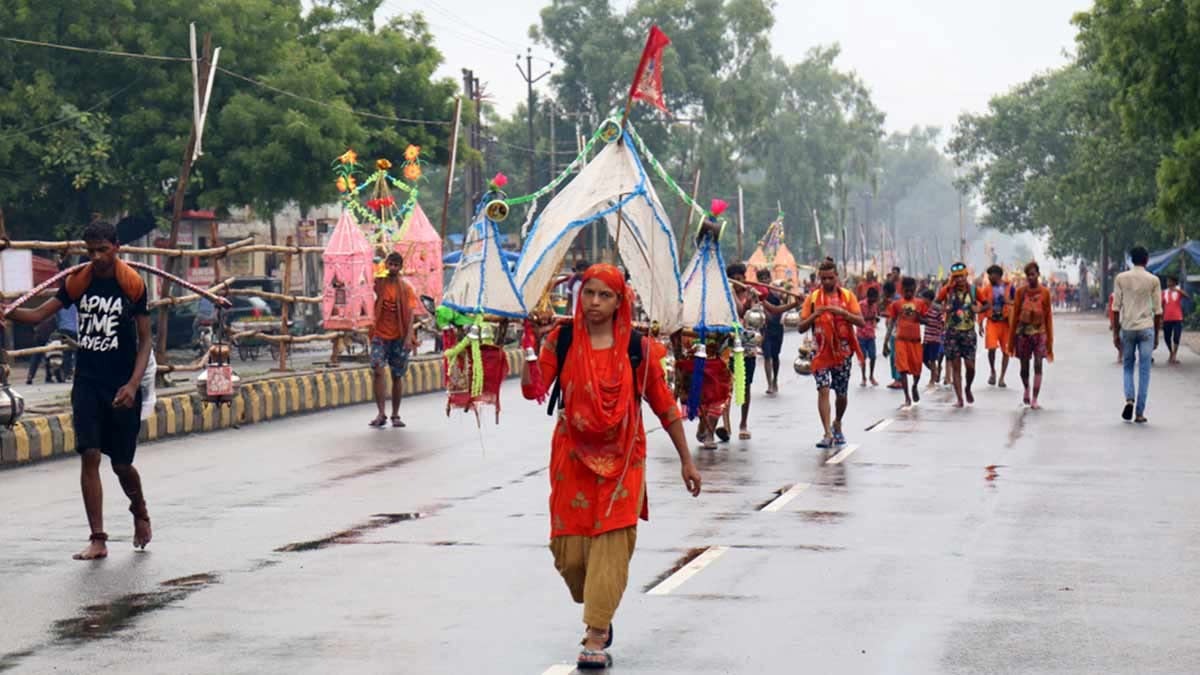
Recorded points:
(91, 133)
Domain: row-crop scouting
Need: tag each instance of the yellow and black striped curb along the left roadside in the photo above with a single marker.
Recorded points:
(37, 439)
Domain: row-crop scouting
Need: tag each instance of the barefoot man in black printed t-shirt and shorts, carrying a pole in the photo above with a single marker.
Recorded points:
(115, 350)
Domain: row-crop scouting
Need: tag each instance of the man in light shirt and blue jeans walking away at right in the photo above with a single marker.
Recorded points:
(1137, 325)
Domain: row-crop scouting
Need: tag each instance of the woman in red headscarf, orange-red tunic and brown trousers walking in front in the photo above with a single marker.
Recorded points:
(598, 452)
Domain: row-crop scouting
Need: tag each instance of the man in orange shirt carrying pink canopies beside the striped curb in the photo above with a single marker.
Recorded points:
(393, 338)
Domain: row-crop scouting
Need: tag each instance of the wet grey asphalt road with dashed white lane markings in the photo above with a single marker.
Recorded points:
(993, 540)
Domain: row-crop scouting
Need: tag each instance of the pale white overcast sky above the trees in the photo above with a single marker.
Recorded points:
(925, 61)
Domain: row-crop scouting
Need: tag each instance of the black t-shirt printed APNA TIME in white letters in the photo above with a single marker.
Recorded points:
(109, 334)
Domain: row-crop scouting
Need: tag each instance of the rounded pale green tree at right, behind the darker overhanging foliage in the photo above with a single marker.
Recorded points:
(1051, 158)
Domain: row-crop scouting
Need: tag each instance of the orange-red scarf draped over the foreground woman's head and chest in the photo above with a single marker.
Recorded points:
(599, 403)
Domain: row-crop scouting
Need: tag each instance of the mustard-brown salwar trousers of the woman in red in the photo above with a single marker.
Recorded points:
(596, 571)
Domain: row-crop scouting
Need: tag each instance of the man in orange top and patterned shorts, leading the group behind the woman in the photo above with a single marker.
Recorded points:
(832, 313)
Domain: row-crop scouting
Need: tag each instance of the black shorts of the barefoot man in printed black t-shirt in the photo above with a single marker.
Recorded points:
(99, 426)
